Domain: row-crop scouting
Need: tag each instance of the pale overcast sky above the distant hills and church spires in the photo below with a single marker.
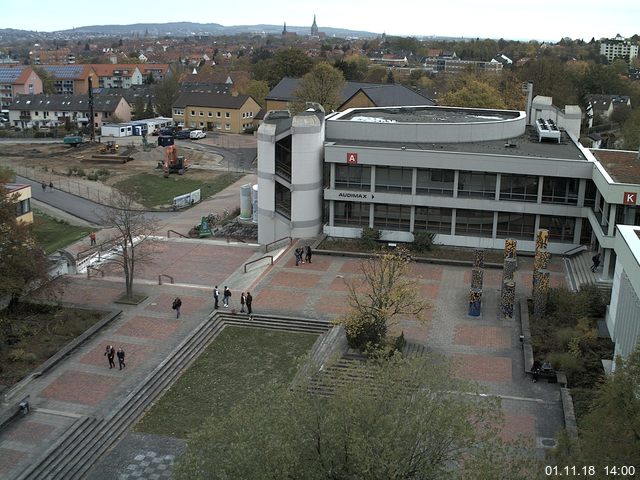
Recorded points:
(509, 19)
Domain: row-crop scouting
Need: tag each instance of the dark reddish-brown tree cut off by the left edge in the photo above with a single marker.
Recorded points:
(23, 264)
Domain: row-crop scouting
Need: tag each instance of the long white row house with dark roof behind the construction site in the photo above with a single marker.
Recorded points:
(29, 111)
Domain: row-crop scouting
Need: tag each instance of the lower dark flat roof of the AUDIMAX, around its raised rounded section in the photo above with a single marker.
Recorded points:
(526, 145)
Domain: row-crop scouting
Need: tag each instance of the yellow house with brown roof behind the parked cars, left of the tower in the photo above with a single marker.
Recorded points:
(218, 112)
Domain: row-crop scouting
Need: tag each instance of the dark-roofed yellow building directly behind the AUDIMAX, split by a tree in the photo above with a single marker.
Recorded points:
(354, 94)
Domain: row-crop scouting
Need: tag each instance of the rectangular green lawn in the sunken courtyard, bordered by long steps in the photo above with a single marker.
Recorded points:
(236, 363)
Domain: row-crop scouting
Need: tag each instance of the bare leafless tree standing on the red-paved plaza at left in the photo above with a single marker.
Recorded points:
(133, 227)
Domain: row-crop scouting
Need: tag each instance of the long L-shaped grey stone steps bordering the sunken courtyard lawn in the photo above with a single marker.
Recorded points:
(82, 445)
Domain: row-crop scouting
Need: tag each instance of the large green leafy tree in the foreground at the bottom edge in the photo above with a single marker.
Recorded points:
(393, 419)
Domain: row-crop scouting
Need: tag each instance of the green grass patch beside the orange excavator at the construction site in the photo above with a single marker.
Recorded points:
(156, 191)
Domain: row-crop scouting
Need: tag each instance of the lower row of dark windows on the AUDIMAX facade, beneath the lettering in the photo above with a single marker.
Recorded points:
(476, 223)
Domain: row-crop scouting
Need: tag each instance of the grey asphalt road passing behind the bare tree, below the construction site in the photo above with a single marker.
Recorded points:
(76, 206)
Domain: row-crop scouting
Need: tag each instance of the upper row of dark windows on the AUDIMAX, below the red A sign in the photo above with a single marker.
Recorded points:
(523, 188)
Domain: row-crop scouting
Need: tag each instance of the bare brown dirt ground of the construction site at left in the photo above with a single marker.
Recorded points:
(53, 161)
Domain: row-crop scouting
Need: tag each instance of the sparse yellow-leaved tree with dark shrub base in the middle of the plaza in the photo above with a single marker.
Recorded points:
(376, 300)
